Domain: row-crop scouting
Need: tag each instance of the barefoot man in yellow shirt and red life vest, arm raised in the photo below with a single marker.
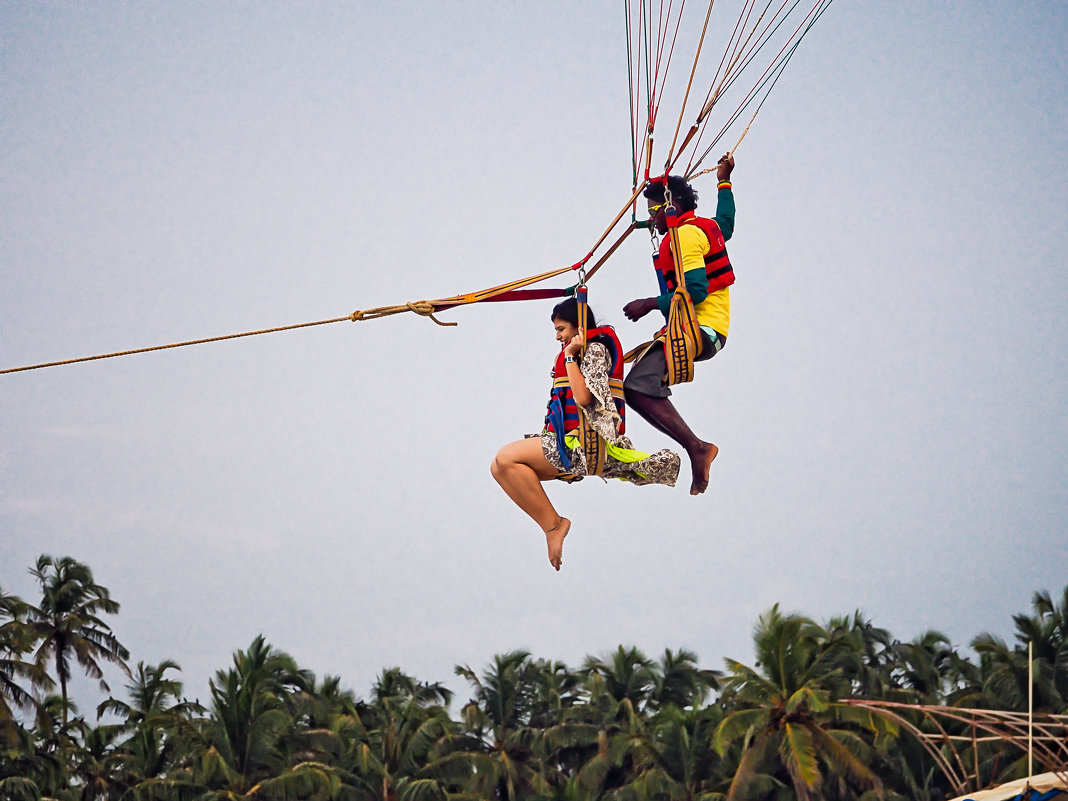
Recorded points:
(709, 276)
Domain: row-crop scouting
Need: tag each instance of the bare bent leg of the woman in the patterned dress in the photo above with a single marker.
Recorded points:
(520, 468)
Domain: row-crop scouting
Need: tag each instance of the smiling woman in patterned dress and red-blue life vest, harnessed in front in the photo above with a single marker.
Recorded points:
(521, 467)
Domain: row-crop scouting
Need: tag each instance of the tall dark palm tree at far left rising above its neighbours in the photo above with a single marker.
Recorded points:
(68, 622)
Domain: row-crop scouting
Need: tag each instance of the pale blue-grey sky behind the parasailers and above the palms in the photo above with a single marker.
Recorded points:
(891, 409)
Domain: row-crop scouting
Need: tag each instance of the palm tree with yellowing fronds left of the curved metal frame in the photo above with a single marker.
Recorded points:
(787, 715)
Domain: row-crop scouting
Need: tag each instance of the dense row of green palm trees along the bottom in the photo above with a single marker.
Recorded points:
(620, 727)
